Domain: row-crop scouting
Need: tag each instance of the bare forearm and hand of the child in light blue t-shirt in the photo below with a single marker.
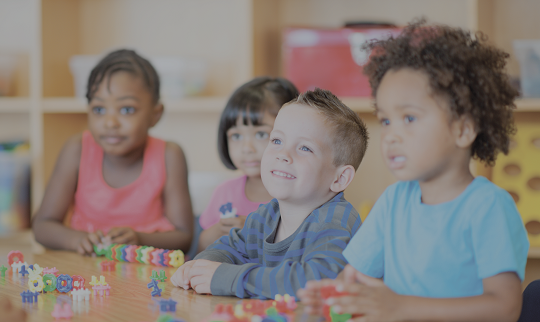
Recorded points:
(501, 301)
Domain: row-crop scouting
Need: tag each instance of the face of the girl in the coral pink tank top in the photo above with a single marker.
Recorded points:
(121, 112)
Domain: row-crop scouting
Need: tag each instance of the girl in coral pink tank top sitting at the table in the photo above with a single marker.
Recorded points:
(121, 183)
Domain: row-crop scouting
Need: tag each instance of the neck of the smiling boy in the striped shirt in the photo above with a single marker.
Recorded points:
(293, 213)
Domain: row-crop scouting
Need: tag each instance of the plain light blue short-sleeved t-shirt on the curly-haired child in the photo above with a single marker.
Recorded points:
(442, 250)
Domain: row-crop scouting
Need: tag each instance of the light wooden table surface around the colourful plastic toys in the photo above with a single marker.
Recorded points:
(129, 300)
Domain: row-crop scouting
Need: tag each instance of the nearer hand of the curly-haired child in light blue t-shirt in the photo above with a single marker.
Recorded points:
(370, 298)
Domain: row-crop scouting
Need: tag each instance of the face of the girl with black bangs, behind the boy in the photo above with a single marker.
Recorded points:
(247, 144)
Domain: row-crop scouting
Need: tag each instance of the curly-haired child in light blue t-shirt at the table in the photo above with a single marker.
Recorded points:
(446, 245)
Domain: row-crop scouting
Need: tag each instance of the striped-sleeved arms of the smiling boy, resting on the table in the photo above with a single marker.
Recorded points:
(321, 258)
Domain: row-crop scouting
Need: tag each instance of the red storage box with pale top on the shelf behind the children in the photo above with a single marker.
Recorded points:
(330, 59)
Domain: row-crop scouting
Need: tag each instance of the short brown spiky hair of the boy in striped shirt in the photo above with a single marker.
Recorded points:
(349, 133)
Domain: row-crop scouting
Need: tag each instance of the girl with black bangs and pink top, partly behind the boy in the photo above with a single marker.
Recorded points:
(243, 133)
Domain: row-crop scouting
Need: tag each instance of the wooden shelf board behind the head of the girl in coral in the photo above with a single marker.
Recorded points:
(186, 105)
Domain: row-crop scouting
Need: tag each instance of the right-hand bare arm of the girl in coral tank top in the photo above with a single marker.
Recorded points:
(177, 205)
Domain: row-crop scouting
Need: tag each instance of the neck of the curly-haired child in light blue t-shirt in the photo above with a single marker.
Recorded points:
(447, 185)
